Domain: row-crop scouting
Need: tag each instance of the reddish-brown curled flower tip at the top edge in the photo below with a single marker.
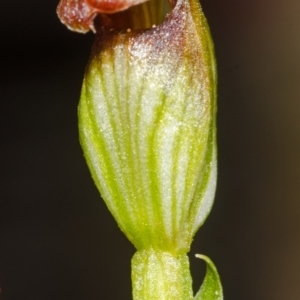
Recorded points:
(78, 15)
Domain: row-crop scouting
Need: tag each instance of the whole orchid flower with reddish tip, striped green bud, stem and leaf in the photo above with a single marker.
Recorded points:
(147, 129)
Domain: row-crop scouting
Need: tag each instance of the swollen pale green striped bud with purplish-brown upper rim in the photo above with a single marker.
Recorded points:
(147, 127)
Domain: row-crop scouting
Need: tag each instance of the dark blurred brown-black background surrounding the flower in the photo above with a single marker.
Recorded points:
(58, 240)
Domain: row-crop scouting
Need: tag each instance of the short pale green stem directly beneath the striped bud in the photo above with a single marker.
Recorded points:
(158, 275)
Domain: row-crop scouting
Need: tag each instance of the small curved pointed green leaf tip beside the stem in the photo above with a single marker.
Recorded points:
(211, 288)
